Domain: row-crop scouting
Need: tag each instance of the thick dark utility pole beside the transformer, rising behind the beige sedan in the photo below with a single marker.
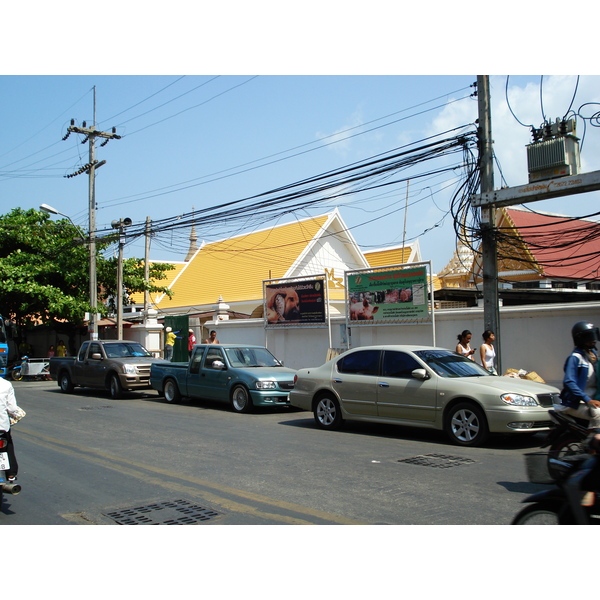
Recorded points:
(491, 311)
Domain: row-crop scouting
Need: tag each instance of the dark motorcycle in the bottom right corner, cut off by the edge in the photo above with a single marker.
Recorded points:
(575, 497)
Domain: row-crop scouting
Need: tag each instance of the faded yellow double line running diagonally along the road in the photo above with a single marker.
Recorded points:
(130, 468)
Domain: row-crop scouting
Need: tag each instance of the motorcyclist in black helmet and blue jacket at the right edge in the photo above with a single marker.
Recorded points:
(579, 382)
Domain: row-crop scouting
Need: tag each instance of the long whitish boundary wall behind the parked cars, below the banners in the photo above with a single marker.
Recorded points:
(534, 338)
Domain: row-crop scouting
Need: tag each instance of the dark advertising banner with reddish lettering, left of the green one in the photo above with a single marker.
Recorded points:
(298, 302)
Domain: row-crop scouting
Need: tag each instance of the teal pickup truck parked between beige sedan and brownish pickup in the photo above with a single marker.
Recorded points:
(244, 376)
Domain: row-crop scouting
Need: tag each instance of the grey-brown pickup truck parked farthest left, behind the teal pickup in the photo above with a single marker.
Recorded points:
(114, 365)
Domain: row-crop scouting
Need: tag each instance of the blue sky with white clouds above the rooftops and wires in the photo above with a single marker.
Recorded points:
(202, 140)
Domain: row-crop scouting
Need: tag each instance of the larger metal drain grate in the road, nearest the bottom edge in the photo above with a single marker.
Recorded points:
(176, 512)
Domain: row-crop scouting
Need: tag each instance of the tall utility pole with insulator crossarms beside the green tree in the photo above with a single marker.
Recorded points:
(91, 135)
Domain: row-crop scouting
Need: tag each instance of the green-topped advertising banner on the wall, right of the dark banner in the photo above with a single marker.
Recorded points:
(399, 295)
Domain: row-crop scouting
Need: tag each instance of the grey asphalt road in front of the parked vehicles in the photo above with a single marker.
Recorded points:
(86, 459)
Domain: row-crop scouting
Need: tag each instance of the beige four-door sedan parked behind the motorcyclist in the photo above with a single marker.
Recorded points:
(423, 387)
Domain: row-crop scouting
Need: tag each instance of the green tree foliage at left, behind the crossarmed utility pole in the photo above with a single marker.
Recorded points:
(44, 270)
